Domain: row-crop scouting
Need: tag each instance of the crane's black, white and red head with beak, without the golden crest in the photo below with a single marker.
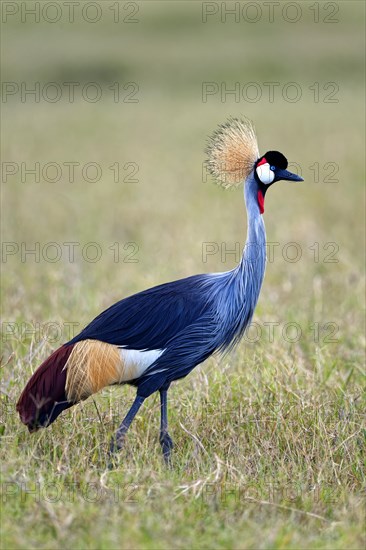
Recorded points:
(268, 169)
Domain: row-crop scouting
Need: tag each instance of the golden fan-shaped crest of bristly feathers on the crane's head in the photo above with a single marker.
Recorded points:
(232, 151)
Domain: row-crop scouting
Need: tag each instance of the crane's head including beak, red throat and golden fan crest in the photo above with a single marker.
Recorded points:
(233, 158)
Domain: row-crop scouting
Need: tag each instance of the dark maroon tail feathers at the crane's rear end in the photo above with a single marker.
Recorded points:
(44, 397)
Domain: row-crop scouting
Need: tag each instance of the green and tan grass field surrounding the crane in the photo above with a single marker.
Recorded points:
(269, 441)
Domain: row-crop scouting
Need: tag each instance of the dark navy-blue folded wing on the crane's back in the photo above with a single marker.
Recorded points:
(150, 319)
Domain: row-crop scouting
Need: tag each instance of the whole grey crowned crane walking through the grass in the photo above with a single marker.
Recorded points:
(159, 335)
